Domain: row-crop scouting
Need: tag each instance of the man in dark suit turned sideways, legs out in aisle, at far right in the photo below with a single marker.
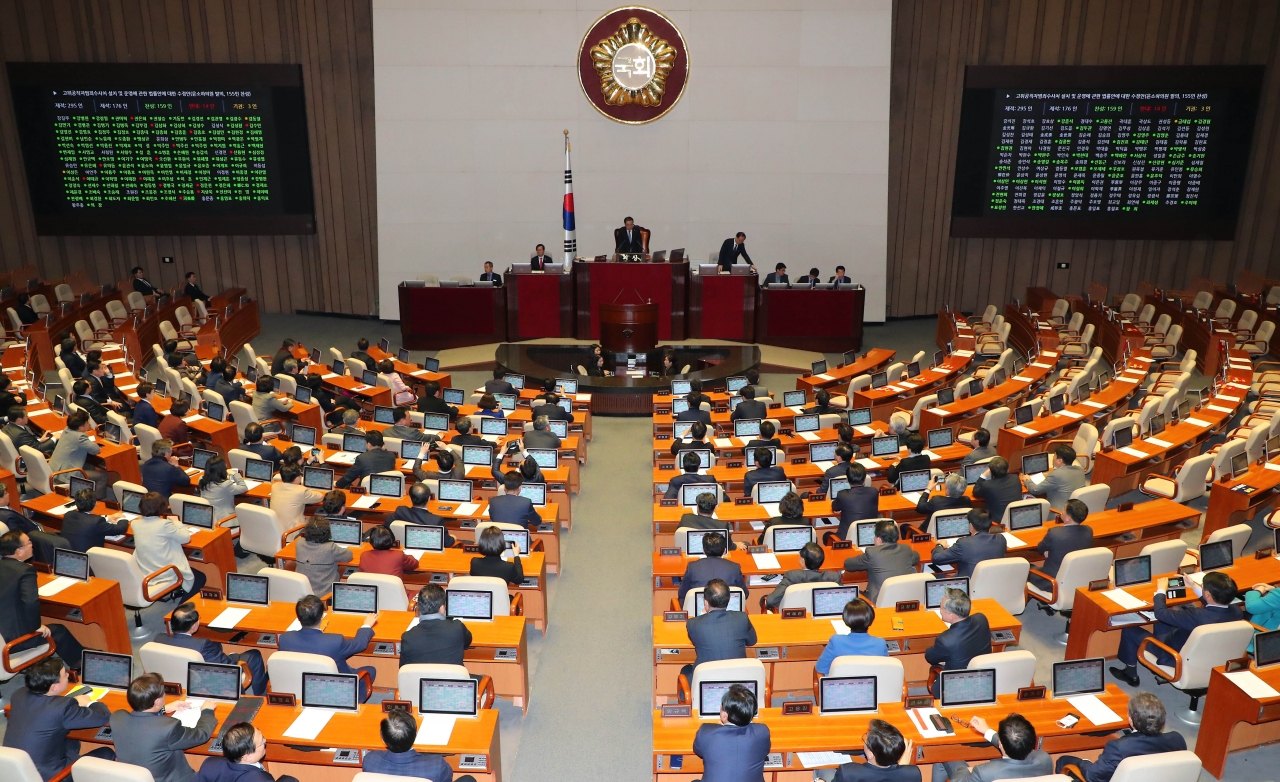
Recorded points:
(1176, 625)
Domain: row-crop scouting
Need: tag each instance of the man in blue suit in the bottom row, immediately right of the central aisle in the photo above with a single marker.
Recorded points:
(737, 749)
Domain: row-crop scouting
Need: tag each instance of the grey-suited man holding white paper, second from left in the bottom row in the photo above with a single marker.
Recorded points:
(149, 738)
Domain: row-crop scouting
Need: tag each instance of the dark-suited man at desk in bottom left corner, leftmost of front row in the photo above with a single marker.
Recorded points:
(40, 717)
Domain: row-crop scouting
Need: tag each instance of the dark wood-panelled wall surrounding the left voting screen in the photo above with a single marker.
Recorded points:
(333, 271)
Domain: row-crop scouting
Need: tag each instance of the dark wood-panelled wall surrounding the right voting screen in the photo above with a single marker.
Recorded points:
(934, 40)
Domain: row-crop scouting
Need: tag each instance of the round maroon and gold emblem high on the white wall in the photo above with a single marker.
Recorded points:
(633, 65)
